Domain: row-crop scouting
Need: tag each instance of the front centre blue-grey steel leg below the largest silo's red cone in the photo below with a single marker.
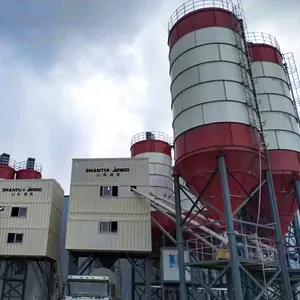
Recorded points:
(234, 261)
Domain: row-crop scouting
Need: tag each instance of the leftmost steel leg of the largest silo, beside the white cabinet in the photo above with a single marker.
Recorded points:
(180, 241)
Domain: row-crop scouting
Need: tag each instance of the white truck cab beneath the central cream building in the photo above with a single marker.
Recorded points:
(89, 287)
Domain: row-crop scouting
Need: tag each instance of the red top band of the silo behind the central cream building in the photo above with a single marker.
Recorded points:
(150, 146)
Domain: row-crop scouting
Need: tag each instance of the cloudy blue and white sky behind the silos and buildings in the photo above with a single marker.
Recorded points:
(79, 78)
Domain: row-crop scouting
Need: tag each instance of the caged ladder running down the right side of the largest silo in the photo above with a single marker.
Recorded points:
(249, 82)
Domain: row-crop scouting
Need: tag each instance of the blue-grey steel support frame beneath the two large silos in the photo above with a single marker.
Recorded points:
(243, 278)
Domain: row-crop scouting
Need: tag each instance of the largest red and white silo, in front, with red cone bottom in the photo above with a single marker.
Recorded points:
(212, 102)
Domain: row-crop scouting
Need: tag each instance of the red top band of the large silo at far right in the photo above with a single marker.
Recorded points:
(264, 52)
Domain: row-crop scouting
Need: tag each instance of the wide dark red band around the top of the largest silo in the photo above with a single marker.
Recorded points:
(203, 18)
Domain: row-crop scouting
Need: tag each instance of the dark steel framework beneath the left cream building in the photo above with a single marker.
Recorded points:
(27, 278)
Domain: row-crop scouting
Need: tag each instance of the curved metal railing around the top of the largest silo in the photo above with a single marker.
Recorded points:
(193, 5)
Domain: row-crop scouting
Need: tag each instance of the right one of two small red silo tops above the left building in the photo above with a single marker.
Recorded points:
(29, 169)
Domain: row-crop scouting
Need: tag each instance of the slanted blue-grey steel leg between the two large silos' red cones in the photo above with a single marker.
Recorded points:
(287, 290)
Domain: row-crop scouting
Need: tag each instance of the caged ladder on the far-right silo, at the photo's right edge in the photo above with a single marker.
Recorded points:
(293, 80)
